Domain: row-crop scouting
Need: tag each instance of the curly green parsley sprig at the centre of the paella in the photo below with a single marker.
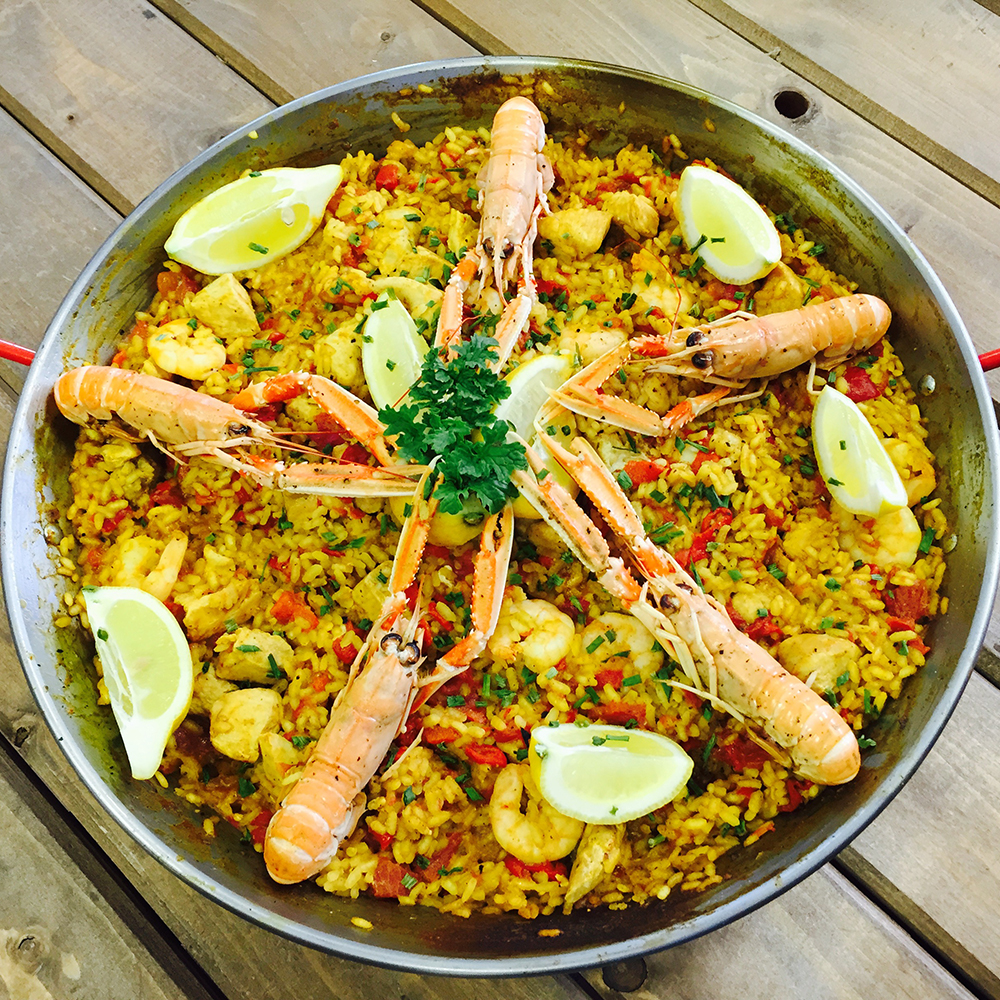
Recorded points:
(450, 402)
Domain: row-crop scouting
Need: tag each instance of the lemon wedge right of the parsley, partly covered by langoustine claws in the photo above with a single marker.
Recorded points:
(530, 384)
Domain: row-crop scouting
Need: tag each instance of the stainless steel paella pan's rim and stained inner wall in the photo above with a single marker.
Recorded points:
(863, 243)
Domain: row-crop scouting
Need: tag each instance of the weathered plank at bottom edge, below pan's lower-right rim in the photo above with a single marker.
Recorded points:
(822, 940)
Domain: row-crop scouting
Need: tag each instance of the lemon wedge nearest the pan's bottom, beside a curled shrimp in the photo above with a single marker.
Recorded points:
(606, 774)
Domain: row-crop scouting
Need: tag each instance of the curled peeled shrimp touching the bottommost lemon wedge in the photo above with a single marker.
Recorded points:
(538, 834)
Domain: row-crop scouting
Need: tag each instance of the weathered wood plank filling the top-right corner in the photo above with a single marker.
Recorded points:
(940, 74)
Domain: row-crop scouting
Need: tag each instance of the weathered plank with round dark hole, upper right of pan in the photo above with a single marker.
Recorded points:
(950, 224)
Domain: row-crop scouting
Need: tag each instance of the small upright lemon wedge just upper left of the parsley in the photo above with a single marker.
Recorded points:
(391, 351)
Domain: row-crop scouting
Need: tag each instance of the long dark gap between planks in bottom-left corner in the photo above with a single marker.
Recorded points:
(107, 880)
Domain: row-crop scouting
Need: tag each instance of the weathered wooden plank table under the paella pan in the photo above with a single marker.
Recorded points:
(102, 99)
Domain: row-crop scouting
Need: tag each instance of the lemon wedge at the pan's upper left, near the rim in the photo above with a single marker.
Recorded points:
(254, 220)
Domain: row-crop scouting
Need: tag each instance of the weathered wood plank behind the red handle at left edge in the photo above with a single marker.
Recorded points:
(45, 239)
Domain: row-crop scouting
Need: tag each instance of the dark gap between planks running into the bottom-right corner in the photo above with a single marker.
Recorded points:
(920, 926)
